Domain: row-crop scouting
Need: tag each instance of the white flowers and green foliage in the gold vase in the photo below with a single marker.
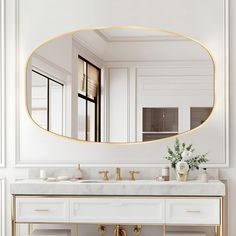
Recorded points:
(183, 159)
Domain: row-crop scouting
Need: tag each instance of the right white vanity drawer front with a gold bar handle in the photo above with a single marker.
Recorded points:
(193, 211)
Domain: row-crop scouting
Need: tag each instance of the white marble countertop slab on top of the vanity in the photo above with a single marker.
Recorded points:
(126, 188)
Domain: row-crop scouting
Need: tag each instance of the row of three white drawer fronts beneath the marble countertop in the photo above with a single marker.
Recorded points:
(118, 210)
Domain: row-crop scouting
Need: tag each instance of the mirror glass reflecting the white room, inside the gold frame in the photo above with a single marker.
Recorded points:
(120, 85)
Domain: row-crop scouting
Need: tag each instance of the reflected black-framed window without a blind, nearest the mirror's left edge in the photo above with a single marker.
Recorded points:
(47, 102)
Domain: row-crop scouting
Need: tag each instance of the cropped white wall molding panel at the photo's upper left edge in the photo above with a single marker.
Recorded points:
(2, 83)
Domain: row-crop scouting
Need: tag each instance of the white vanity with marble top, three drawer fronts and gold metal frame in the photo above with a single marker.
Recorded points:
(121, 203)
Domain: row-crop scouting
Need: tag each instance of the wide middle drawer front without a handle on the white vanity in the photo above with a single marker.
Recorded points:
(117, 210)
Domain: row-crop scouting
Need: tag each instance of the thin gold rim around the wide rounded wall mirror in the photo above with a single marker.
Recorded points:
(124, 27)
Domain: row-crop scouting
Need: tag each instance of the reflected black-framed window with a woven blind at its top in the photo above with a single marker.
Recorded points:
(88, 101)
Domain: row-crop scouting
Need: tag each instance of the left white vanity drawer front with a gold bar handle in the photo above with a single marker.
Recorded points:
(42, 210)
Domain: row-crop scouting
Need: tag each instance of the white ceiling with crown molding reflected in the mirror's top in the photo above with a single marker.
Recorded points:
(127, 44)
